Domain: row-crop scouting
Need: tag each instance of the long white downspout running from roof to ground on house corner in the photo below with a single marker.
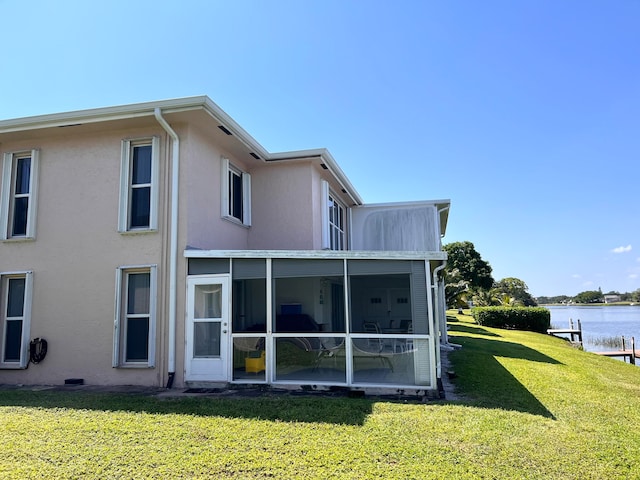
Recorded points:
(173, 246)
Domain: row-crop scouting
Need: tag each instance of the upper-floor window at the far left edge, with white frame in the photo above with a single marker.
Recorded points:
(19, 189)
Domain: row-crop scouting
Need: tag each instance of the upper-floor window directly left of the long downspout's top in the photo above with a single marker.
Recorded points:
(139, 186)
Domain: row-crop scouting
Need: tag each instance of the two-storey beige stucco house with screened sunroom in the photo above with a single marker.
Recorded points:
(159, 244)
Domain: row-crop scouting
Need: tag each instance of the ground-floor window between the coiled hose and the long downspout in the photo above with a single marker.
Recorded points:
(134, 337)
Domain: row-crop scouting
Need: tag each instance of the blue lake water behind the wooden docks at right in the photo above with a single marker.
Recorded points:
(600, 322)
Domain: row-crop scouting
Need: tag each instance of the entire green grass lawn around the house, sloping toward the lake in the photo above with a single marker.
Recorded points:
(534, 408)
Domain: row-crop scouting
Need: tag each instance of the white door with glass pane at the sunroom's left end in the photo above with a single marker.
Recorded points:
(207, 329)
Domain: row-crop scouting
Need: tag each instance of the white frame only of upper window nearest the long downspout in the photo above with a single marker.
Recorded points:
(124, 214)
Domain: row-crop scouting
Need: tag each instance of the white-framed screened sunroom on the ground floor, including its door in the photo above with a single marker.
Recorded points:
(313, 318)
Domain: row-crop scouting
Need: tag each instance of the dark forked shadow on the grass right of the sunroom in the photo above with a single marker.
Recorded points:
(482, 378)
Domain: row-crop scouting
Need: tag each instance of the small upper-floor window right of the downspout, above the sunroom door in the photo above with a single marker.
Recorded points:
(236, 194)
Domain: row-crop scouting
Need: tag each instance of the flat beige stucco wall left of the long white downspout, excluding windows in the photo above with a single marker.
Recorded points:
(75, 256)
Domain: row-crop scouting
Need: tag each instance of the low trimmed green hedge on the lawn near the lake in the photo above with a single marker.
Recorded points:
(534, 319)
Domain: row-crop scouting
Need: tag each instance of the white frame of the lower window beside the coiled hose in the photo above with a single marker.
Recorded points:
(25, 318)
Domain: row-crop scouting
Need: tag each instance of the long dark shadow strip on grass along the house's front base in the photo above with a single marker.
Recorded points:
(285, 408)
